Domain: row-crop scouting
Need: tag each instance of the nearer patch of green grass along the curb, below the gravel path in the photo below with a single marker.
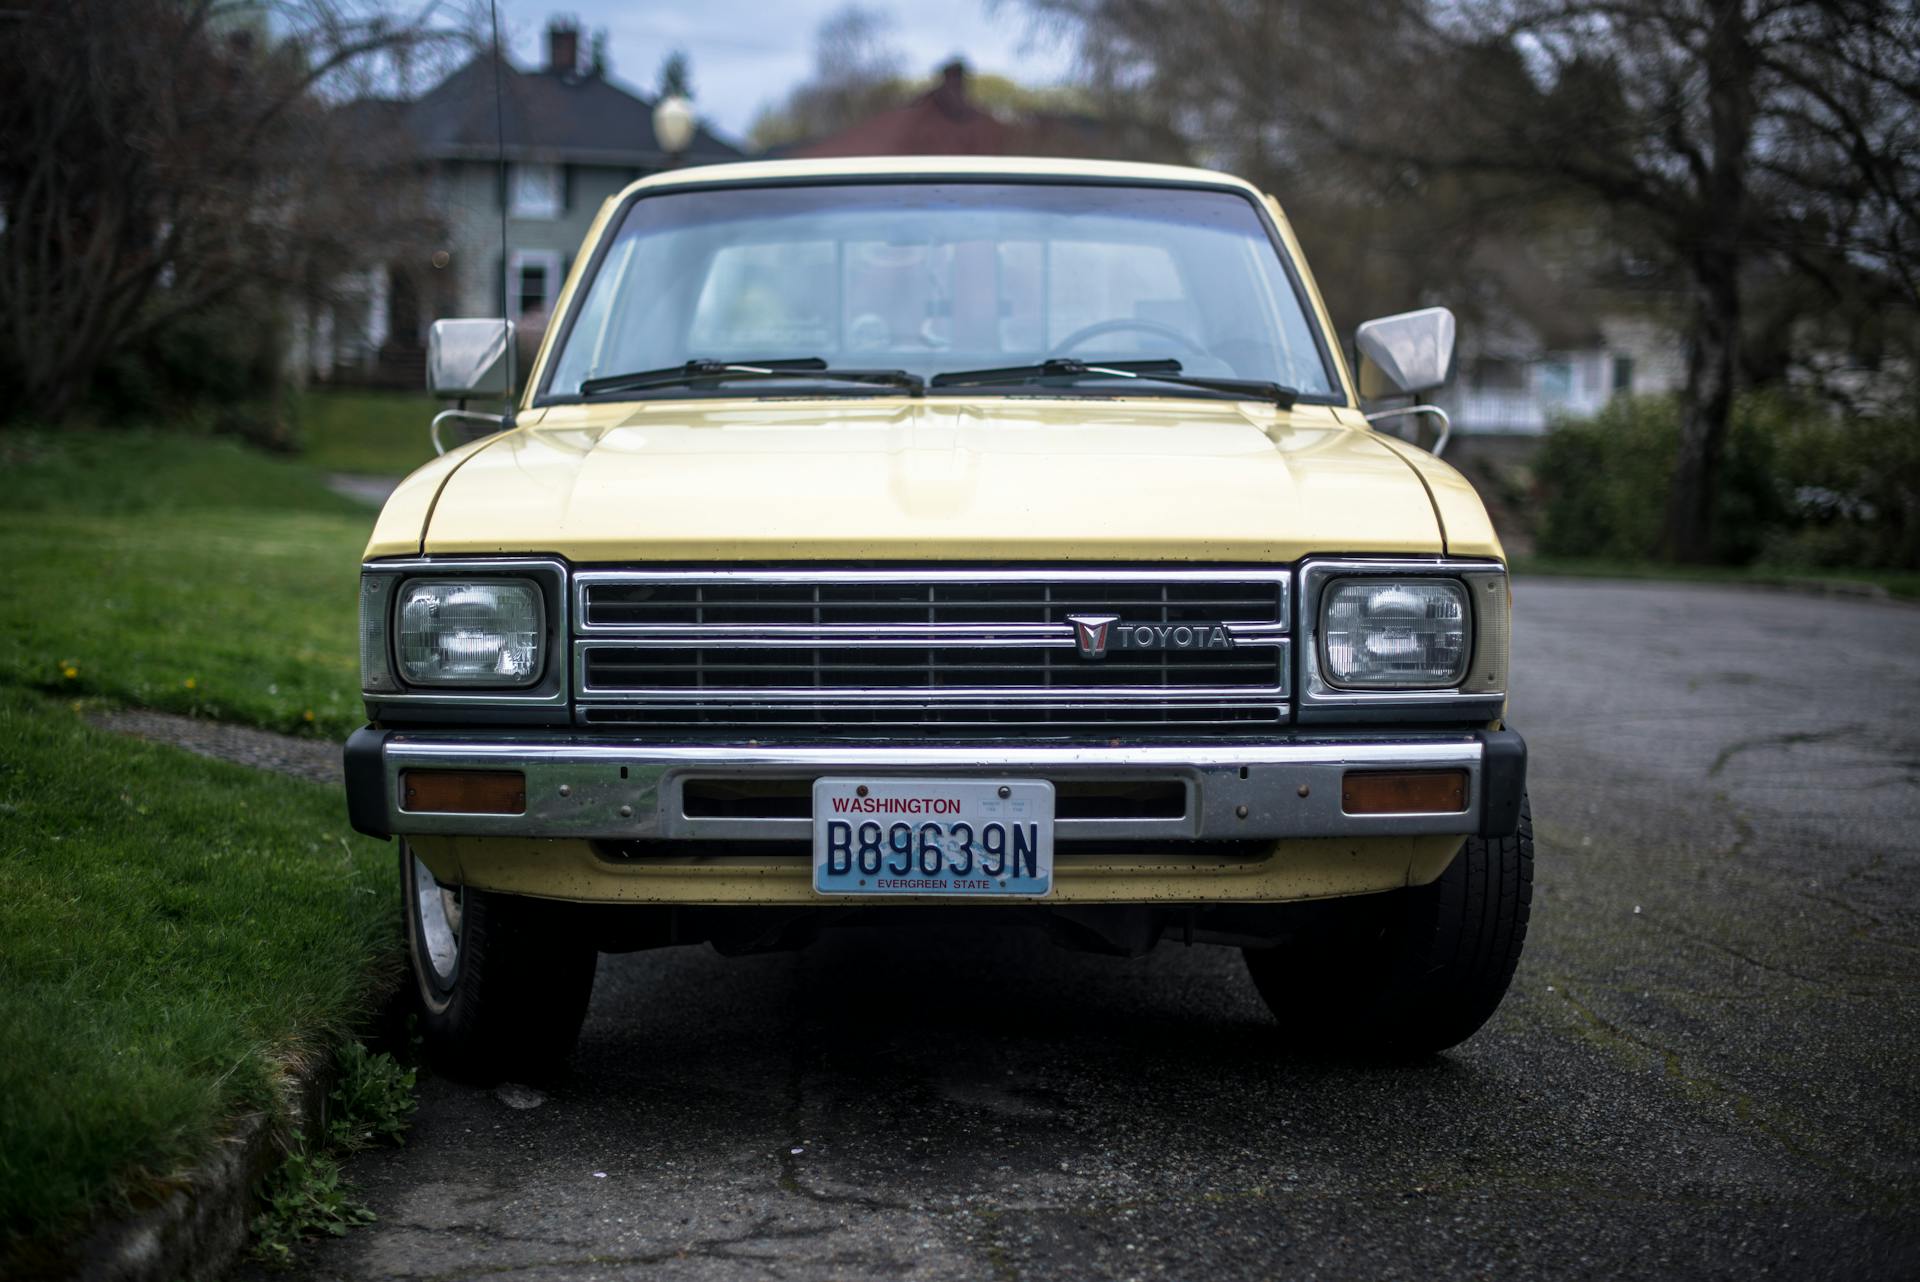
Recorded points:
(170, 930)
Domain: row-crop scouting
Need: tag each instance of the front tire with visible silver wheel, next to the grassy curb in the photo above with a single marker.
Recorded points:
(498, 987)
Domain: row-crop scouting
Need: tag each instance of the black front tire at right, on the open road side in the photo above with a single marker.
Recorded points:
(1414, 972)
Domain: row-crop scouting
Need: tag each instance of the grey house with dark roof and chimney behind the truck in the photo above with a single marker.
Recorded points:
(571, 139)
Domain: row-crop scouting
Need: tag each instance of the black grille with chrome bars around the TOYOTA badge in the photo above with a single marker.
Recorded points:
(875, 653)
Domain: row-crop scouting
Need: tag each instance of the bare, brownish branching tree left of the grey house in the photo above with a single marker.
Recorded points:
(160, 158)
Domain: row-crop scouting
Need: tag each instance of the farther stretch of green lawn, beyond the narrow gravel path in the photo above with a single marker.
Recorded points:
(181, 573)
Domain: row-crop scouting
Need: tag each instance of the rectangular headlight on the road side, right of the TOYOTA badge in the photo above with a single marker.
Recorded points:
(1397, 632)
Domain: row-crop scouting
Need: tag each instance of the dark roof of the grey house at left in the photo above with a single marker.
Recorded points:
(544, 116)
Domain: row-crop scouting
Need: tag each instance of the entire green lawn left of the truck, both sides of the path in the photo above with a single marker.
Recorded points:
(172, 930)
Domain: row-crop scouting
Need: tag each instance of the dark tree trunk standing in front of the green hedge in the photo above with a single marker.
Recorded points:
(1706, 410)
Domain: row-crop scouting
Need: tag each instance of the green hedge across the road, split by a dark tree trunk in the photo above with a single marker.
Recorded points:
(1798, 487)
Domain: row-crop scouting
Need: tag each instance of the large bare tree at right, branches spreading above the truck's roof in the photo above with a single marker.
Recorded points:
(1727, 137)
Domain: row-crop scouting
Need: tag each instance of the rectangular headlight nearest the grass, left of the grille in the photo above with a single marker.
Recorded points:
(469, 632)
